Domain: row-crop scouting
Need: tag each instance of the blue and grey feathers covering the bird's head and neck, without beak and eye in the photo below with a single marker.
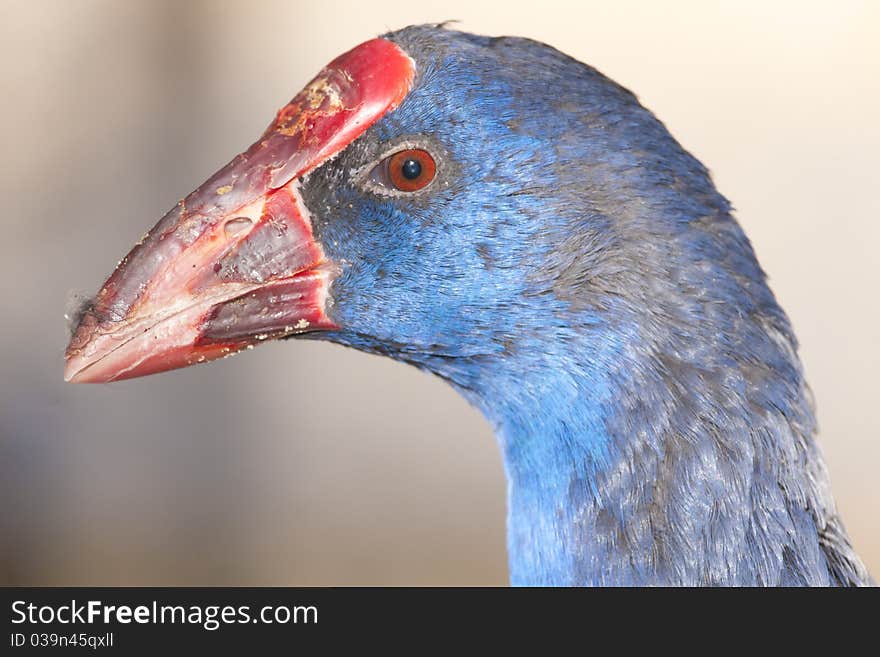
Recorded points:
(574, 273)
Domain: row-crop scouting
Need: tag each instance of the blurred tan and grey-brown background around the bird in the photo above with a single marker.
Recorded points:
(232, 473)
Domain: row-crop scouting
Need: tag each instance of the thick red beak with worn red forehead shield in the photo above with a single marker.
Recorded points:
(236, 262)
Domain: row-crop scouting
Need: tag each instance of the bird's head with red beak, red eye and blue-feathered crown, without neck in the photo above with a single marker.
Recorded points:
(480, 207)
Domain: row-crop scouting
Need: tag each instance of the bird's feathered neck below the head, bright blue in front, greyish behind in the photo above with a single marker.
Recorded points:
(631, 463)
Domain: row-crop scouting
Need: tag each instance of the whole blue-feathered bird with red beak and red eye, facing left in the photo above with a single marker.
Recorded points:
(505, 217)
